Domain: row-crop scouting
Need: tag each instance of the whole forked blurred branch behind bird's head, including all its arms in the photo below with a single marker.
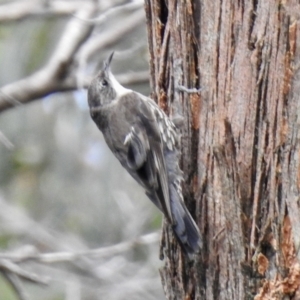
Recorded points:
(55, 76)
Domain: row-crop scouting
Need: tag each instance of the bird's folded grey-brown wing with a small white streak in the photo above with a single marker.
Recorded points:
(145, 158)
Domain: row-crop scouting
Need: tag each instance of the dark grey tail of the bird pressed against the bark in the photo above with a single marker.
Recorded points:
(185, 228)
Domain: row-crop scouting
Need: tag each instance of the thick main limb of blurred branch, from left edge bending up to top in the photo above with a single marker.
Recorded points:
(51, 78)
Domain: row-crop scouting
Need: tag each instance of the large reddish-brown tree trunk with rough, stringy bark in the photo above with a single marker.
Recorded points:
(240, 142)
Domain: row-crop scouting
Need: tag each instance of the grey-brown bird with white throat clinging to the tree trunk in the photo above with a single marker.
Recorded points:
(146, 143)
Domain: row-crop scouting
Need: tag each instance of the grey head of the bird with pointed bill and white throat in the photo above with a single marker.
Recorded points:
(104, 87)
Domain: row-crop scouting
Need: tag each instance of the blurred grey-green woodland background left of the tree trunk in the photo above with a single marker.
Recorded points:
(61, 190)
